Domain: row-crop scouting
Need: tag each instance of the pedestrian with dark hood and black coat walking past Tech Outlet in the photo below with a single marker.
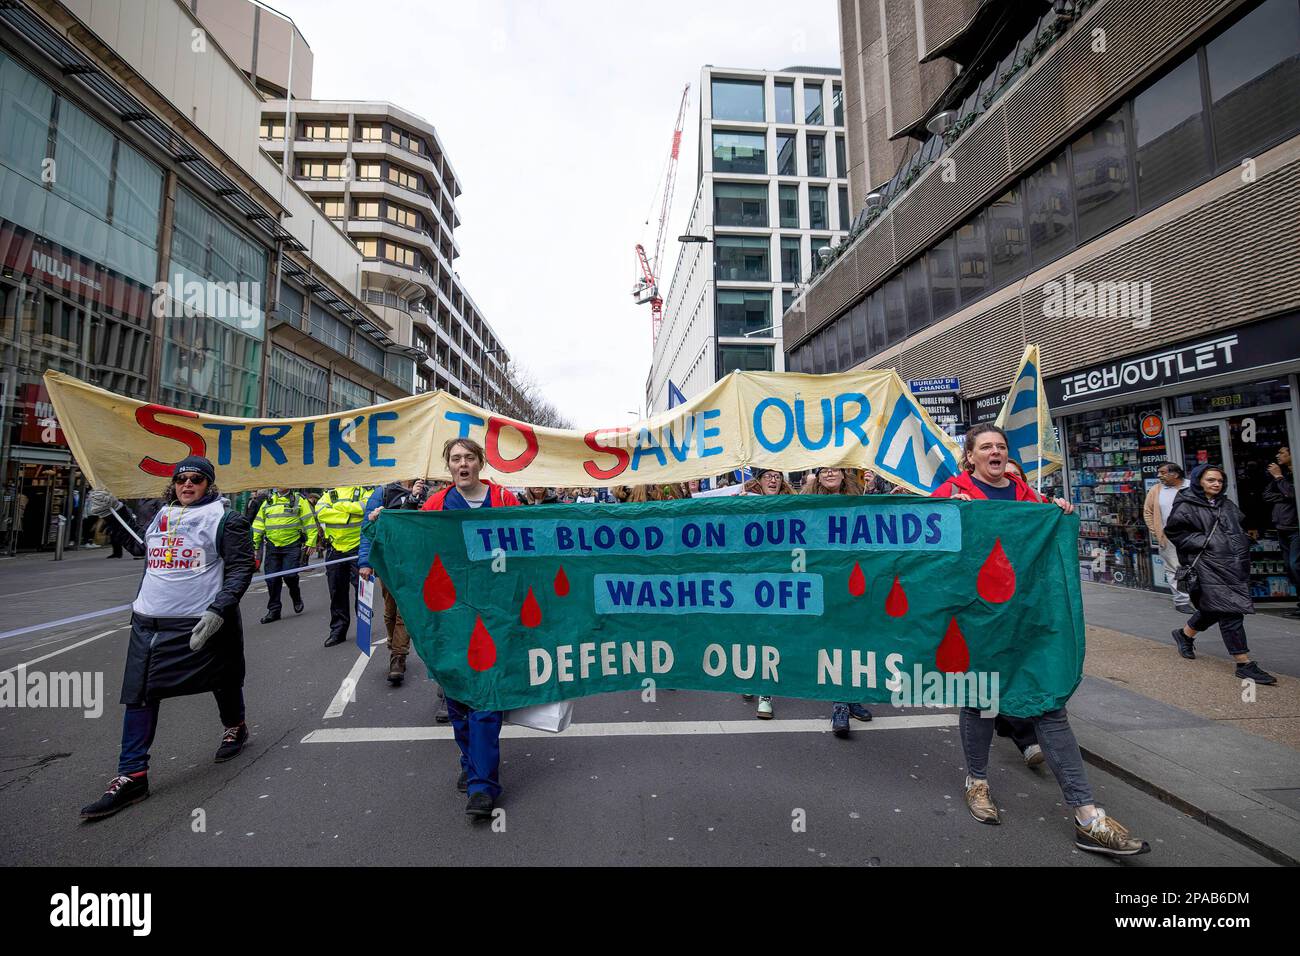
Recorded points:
(1206, 529)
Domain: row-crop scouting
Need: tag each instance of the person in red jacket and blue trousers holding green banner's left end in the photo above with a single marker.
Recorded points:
(478, 732)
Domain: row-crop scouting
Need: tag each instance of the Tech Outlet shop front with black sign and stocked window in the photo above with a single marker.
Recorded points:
(1228, 399)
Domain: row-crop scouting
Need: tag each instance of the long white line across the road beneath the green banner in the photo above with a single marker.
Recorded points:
(627, 729)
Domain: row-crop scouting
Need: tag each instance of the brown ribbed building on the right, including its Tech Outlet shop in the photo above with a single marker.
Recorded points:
(1116, 181)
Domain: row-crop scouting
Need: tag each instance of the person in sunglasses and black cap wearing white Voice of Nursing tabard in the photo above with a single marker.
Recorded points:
(187, 631)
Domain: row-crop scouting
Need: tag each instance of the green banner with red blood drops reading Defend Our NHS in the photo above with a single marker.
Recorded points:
(922, 602)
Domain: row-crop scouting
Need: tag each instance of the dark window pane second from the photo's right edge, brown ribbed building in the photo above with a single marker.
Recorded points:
(1169, 131)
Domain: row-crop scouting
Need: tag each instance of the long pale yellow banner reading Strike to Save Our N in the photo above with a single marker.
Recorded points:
(777, 419)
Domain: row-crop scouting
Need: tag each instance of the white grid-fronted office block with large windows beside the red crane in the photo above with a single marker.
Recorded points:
(772, 192)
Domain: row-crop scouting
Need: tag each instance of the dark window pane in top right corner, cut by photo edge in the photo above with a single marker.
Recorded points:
(1255, 80)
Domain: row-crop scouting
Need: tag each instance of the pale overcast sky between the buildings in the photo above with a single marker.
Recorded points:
(558, 120)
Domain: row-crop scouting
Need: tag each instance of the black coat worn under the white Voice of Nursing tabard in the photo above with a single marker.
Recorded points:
(159, 661)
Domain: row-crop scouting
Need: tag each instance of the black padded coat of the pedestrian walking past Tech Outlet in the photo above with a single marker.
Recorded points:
(1223, 559)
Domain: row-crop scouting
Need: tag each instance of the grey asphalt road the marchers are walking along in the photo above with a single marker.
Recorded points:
(311, 790)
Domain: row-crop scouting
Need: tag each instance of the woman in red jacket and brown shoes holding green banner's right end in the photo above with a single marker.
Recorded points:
(985, 478)
